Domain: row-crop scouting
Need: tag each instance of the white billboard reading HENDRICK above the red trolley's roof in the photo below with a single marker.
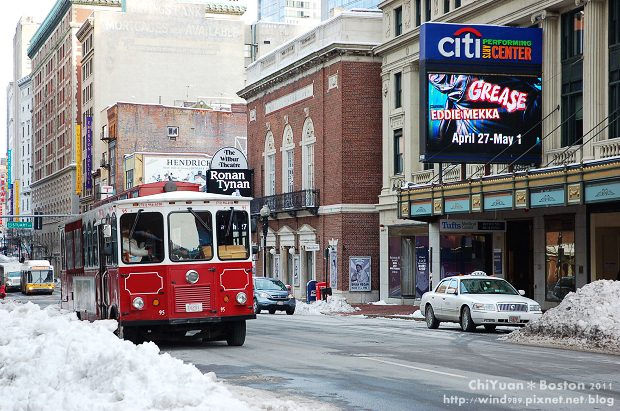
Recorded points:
(190, 169)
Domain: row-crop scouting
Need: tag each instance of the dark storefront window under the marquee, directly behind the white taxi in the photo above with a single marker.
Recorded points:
(465, 253)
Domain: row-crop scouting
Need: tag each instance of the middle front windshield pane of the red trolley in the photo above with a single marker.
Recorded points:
(190, 235)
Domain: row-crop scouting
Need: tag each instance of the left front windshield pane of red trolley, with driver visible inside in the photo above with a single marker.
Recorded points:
(142, 238)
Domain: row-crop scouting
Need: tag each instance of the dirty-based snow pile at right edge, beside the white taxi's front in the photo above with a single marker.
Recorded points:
(587, 319)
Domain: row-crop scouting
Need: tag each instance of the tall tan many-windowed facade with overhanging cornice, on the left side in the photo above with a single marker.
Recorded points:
(56, 56)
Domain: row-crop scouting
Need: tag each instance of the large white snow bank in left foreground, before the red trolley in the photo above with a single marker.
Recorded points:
(49, 360)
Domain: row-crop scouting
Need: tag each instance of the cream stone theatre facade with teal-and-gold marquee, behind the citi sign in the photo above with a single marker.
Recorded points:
(540, 226)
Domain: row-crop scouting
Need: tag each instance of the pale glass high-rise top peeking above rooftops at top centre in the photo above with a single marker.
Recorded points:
(290, 11)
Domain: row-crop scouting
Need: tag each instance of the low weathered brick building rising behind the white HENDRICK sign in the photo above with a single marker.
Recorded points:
(165, 131)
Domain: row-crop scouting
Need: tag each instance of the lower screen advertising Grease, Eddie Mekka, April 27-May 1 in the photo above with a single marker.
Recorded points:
(483, 118)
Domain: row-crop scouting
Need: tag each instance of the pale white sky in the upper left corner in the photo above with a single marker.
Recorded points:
(11, 12)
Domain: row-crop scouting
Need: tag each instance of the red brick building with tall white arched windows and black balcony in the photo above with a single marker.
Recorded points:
(314, 129)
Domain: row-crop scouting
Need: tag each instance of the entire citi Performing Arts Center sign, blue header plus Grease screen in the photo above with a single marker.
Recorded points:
(481, 92)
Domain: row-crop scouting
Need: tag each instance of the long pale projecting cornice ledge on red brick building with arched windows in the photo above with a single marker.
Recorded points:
(319, 56)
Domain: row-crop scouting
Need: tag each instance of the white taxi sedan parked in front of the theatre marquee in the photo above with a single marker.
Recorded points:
(478, 299)
